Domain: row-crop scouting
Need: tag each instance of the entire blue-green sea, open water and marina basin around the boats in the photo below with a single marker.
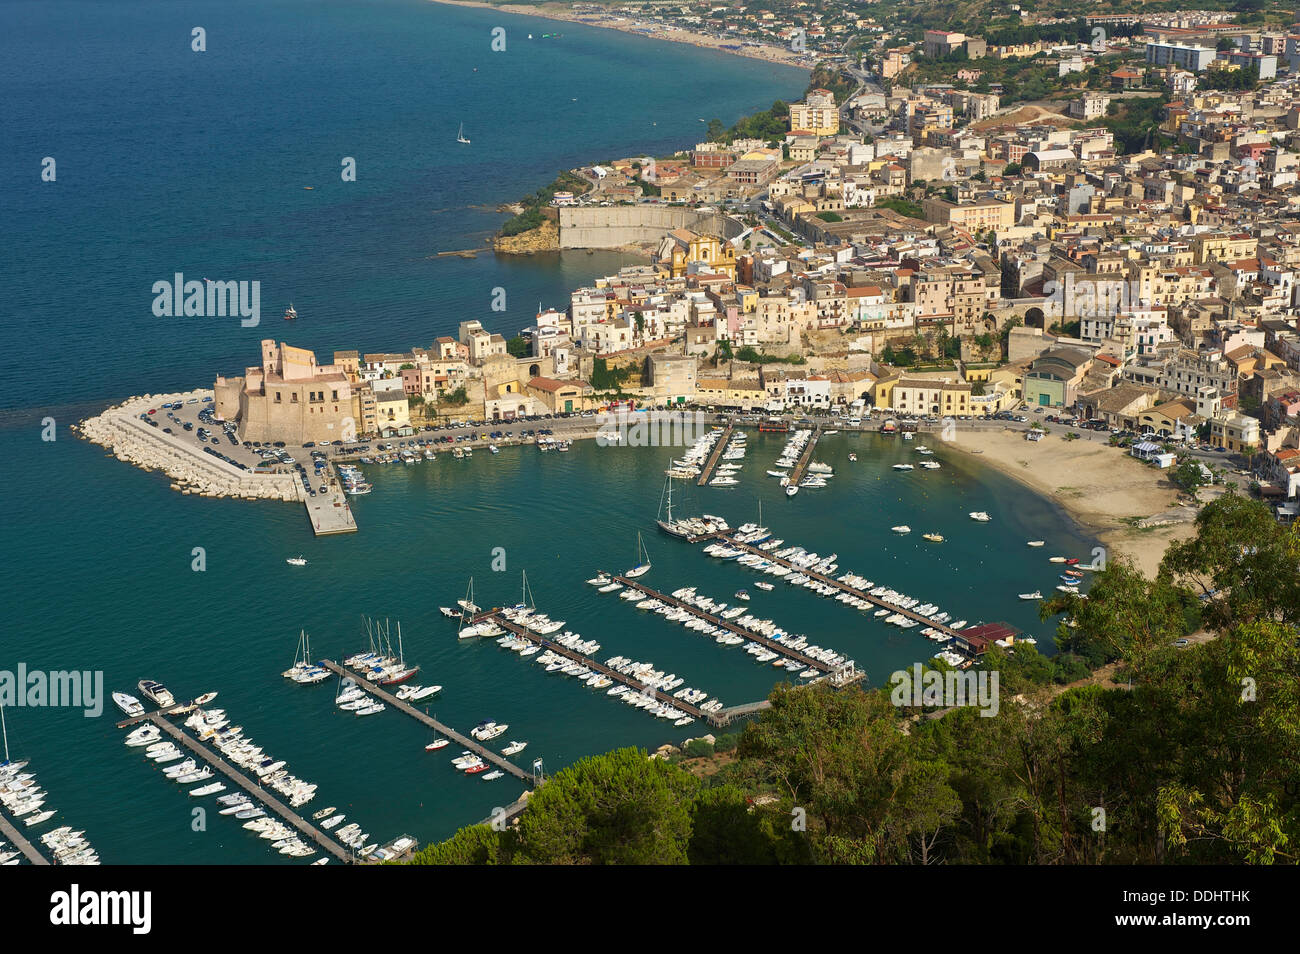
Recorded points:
(227, 163)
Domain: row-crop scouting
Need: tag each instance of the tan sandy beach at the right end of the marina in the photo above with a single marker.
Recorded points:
(1132, 506)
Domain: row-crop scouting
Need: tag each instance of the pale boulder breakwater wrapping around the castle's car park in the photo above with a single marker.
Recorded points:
(122, 431)
